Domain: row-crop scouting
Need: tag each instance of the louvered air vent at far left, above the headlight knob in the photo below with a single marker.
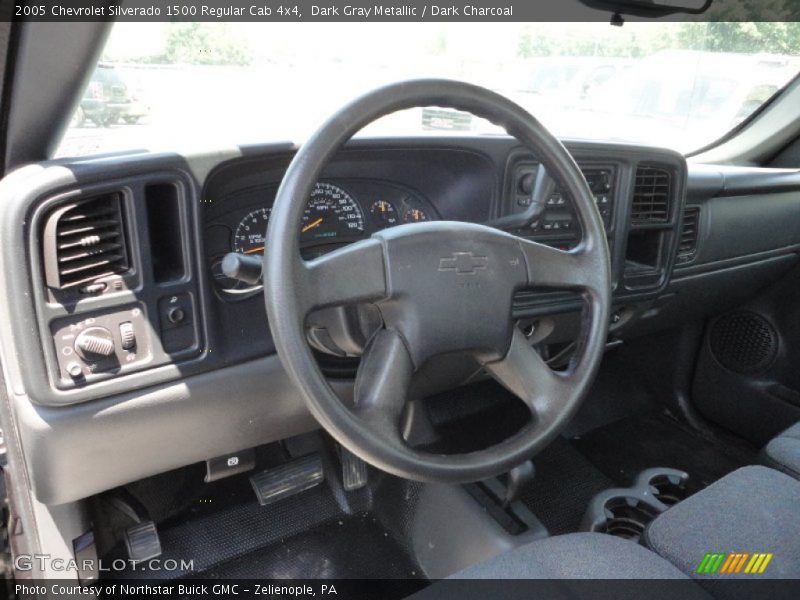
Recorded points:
(85, 241)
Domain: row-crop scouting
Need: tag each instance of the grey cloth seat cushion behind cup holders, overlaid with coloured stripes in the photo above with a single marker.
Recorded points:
(753, 510)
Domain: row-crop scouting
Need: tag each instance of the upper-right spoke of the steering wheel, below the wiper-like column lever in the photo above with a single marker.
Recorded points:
(550, 267)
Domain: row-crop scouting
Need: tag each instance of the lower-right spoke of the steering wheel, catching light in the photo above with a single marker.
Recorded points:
(524, 373)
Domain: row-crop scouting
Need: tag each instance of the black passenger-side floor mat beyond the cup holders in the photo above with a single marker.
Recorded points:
(621, 450)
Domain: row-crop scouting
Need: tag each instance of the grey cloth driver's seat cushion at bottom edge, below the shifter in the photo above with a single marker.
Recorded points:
(575, 556)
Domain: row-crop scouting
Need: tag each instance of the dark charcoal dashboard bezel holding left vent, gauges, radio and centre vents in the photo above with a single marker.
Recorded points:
(124, 298)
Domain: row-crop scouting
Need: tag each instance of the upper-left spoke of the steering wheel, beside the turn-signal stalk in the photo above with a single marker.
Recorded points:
(348, 275)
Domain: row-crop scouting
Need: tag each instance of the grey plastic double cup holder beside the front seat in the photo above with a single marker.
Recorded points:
(626, 512)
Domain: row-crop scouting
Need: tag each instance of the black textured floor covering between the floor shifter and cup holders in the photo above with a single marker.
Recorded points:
(565, 482)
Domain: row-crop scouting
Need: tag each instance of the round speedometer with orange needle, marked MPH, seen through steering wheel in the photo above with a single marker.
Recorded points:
(331, 215)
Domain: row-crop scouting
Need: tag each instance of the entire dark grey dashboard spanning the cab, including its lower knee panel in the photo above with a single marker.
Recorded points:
(115, 277)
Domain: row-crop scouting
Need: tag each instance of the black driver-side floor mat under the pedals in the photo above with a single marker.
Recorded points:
(319, 533)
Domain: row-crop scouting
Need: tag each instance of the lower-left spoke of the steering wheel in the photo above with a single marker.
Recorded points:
(382, 383)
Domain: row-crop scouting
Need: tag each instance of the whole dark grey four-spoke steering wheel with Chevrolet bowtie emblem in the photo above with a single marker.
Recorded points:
(440, 287)
